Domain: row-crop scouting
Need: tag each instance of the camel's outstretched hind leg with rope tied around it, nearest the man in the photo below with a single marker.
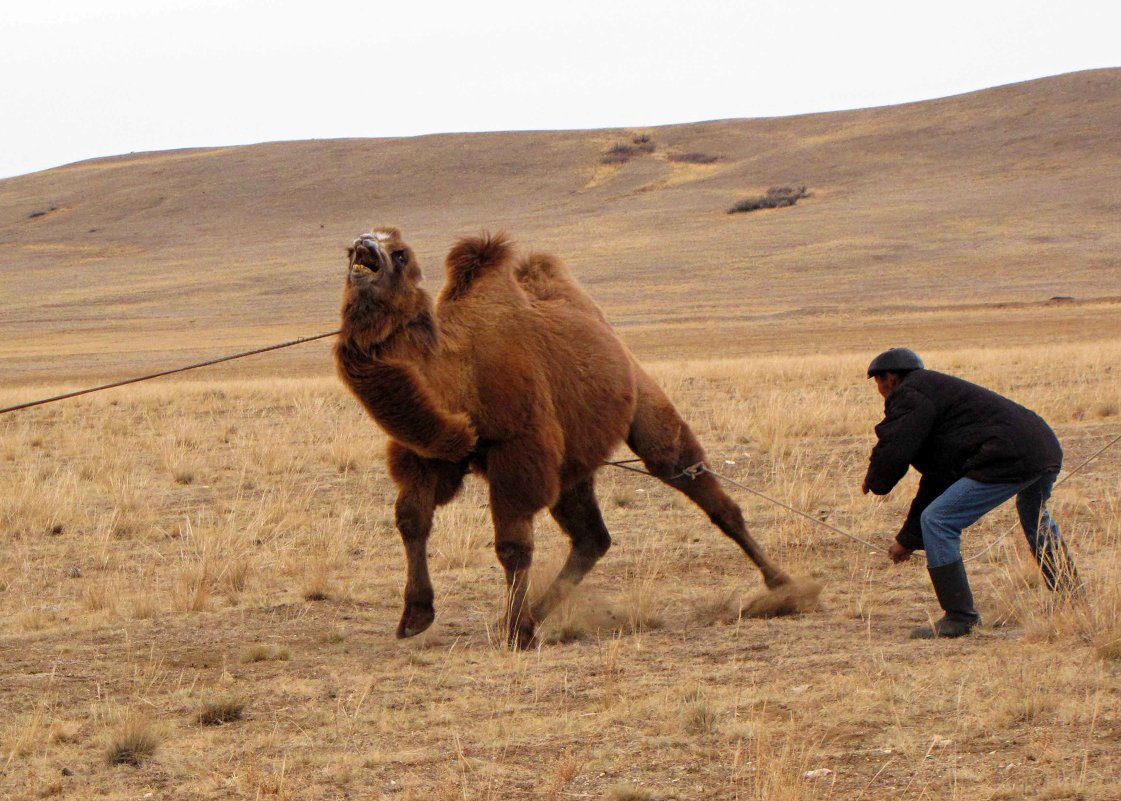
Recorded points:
(669, 449)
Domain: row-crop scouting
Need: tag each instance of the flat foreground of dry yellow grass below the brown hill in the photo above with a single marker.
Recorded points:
(651, 683)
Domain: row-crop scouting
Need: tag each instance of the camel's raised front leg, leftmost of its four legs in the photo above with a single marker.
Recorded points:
(423, 485)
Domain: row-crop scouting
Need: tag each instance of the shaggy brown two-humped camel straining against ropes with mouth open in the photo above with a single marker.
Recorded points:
(516, 375)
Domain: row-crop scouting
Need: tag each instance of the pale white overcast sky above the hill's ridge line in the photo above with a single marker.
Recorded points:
(82, 79)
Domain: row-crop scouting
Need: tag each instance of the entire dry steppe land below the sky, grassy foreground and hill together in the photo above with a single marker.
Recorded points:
(200, 578)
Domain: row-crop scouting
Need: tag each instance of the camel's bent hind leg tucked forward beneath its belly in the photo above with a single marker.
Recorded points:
(578, 514)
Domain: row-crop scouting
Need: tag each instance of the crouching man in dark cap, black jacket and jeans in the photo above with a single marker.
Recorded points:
(976, 450)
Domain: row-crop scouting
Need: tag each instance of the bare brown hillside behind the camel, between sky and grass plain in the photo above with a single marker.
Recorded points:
(953, 221)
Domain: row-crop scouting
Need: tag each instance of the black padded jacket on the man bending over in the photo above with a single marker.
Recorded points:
(948, 430)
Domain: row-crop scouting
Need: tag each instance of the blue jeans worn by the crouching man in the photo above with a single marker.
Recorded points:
(967, 501)
